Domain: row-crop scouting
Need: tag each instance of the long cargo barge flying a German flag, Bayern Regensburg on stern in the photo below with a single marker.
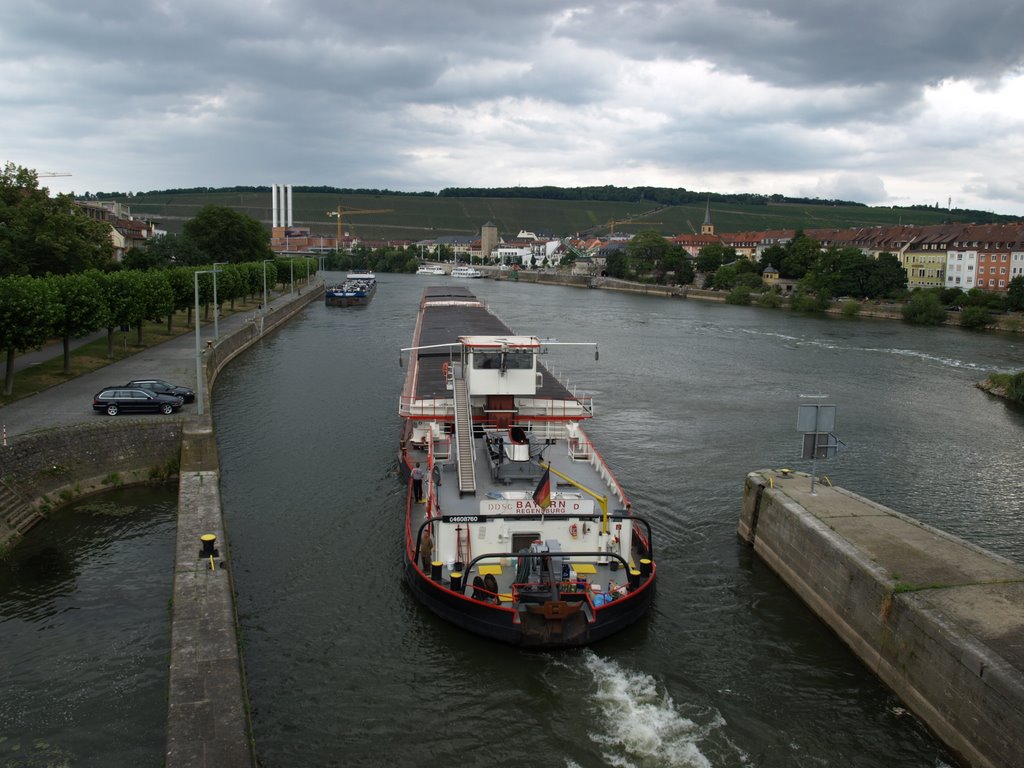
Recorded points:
(516, 527)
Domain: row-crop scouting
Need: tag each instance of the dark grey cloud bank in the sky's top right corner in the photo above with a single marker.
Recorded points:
(821, 42)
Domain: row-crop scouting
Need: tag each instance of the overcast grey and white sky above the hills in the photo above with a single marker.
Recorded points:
(883, 102)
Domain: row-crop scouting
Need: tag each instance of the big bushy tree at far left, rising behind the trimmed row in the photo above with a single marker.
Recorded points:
(40, 235)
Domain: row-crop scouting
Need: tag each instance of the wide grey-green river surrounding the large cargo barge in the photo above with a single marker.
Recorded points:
(346, 668)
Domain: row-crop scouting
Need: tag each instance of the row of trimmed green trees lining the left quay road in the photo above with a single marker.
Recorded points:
(33, 311)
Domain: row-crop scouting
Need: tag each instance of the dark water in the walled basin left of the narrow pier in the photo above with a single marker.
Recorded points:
(86, 631)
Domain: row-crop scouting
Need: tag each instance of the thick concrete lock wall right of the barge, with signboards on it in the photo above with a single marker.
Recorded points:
(940, 621)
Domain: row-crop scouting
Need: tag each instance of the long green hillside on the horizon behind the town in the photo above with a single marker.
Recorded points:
(418, 218)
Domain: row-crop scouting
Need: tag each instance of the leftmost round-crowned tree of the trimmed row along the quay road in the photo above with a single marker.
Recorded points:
(29, 310)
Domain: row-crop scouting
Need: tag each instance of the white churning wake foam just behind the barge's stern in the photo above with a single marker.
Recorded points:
(637, 724)
